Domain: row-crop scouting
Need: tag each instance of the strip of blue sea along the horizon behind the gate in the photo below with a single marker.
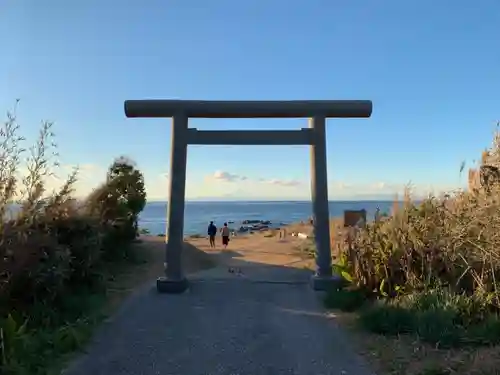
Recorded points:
(198, 214)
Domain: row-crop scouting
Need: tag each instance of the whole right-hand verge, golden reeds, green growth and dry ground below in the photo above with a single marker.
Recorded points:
(435, 268)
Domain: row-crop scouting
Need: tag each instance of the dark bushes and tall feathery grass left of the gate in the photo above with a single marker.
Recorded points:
(55, 250)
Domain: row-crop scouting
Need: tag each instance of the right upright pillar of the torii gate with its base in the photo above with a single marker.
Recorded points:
(323, 278)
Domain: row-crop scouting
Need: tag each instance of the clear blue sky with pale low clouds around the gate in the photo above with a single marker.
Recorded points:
(430, 67)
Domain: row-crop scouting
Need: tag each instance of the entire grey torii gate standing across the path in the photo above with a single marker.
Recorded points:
(180, 111)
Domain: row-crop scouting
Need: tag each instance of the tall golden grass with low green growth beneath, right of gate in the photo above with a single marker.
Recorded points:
(434, 264)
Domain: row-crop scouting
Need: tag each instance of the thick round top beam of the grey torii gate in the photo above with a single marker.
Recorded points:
(249, 109)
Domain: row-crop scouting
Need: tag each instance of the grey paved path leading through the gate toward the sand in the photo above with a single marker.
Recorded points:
(252, 314)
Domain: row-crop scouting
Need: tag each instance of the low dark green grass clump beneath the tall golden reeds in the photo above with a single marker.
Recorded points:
(437, 316)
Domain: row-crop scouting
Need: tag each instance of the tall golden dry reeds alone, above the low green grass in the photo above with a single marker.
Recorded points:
(451, 241)
